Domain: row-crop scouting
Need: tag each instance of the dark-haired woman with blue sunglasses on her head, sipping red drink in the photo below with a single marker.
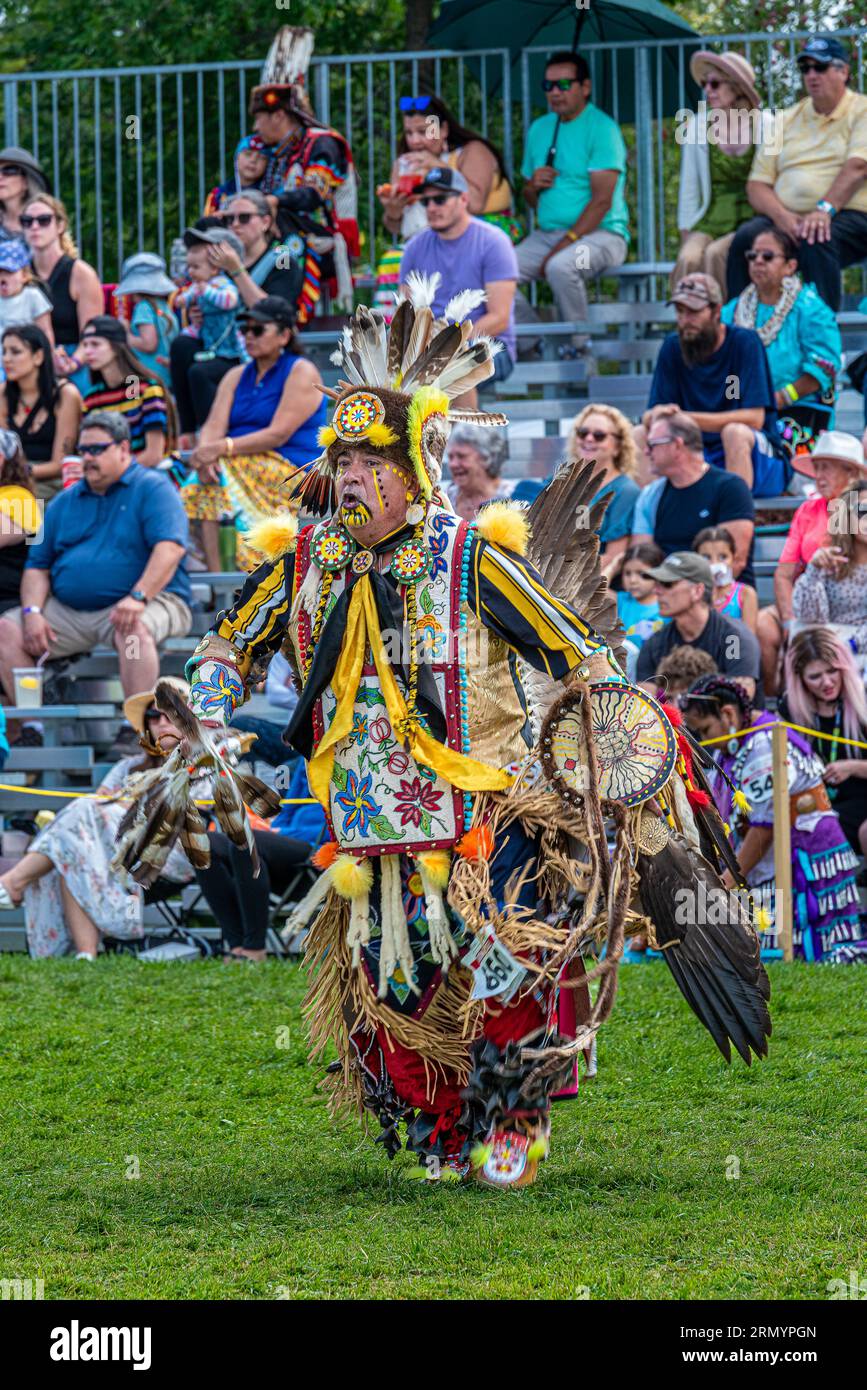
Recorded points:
(434, 138)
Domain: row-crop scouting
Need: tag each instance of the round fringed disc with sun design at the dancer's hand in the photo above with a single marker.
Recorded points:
(634, 742)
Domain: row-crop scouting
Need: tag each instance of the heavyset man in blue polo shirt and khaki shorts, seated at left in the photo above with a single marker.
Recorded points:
(109, 569)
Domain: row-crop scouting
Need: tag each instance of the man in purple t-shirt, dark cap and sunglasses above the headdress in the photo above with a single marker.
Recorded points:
(469, 255)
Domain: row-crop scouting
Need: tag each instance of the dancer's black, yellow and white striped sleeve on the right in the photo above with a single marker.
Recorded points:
(511, 598)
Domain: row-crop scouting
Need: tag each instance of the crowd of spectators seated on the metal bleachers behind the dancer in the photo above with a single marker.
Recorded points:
(135, 419)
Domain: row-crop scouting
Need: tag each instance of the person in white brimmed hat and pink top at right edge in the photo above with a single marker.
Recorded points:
(837, 462)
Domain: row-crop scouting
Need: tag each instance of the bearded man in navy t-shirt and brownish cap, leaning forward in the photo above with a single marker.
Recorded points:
(720, 377)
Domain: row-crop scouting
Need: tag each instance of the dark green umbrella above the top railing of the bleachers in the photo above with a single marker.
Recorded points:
(558, 24)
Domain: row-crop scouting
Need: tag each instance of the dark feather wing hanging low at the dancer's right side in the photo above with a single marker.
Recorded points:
(718, 967)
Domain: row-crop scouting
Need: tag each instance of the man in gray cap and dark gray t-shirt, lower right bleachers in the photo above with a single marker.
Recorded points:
(684, 593)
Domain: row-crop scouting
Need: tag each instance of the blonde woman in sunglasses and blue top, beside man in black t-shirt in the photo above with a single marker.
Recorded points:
(605, 436)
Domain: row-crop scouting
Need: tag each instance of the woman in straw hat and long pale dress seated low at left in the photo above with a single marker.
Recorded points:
(70, 892)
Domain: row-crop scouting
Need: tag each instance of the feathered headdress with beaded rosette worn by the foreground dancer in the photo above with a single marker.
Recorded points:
(398, 387)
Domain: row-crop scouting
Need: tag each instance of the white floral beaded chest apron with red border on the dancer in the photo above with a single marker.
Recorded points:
(383, 801)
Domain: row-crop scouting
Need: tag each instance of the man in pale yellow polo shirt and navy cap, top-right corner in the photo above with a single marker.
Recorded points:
(812, 177)
